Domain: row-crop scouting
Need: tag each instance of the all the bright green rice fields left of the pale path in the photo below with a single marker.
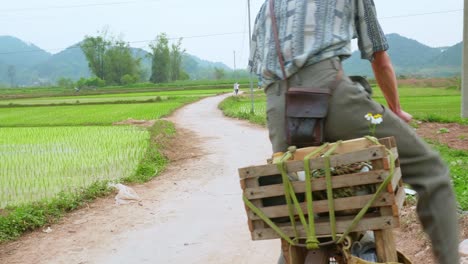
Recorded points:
(62, 144)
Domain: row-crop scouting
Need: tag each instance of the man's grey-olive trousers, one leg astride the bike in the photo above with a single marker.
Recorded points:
(422, 168)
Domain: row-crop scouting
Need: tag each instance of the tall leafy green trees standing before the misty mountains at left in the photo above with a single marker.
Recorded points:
(112, 63)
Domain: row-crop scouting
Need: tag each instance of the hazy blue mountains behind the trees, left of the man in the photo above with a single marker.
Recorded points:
(26, 64)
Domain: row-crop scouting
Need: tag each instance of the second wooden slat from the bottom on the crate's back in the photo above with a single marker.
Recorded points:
(341, 204)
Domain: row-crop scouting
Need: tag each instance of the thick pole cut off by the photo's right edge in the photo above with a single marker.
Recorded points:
(464, 87)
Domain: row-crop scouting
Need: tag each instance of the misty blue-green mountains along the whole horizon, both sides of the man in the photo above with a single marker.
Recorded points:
(23, 63)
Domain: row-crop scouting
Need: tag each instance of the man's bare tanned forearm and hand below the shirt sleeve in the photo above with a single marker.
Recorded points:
(386, 79)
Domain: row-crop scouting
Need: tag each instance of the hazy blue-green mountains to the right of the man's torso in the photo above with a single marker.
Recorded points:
(412, 58)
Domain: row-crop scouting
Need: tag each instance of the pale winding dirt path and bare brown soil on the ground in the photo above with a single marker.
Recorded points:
(192, 212)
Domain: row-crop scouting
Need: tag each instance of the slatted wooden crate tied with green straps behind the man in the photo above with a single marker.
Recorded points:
(385, 209)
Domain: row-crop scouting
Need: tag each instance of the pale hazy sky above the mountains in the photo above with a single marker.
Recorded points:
(211, 29)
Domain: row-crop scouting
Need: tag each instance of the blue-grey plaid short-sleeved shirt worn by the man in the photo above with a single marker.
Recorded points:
(311, 31)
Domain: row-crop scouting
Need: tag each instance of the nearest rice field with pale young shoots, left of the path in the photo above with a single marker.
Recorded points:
(37, 163)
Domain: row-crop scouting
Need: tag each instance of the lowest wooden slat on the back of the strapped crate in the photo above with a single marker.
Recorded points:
(376, 223)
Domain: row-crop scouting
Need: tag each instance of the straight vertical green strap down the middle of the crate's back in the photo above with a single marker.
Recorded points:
(312, 241)
